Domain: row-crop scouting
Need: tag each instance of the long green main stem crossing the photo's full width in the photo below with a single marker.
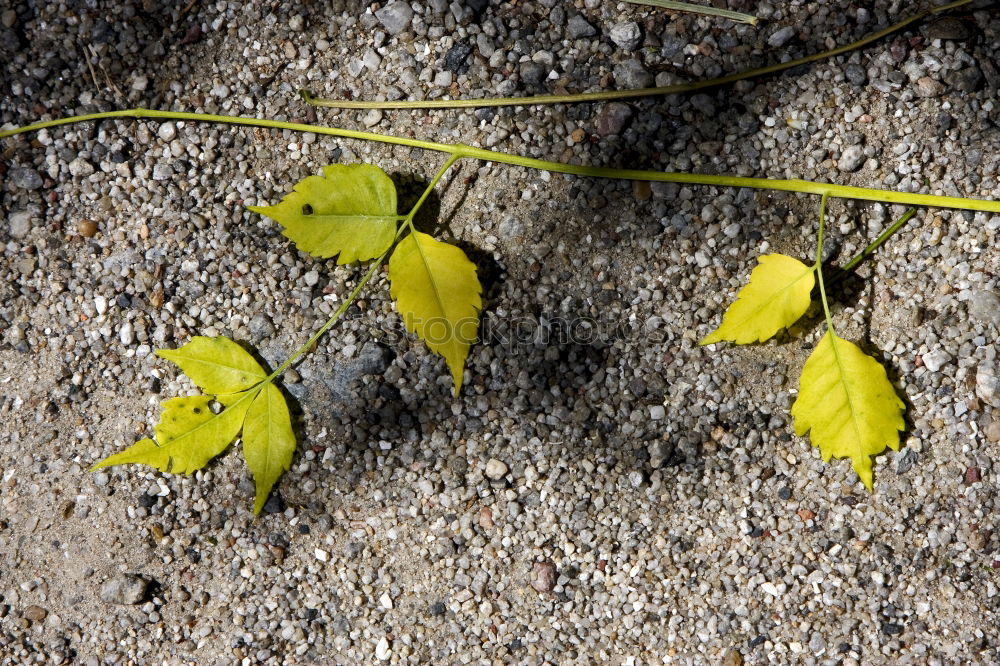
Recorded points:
(463, 151)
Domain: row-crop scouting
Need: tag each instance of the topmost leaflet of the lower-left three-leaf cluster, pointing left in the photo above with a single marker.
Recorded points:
(217, 365)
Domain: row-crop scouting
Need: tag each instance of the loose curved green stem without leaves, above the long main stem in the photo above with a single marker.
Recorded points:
(606, 95)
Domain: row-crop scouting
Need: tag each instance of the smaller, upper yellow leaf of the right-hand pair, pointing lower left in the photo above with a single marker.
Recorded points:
(774, 298)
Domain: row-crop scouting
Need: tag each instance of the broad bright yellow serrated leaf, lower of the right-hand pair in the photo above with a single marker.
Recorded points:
(847, 405)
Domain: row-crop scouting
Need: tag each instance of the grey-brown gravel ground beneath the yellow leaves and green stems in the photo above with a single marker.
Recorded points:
(618, 495)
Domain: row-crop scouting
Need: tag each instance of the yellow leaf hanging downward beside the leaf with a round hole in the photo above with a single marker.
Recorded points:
(438, 295)
